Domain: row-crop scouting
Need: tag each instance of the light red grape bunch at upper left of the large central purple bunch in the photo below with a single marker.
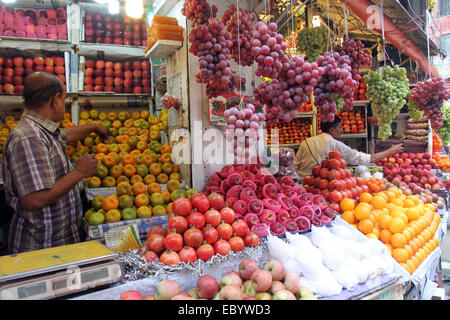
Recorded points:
(268, 48)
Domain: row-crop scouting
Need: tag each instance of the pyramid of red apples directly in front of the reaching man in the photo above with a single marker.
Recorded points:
(333, 180)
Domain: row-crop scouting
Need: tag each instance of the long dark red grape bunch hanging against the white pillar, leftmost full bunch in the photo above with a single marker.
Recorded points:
(212, 46)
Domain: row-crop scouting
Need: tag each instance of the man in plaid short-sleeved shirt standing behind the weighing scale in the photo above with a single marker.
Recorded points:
(41, 185)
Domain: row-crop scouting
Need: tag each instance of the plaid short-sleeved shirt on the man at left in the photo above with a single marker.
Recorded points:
(34, 159)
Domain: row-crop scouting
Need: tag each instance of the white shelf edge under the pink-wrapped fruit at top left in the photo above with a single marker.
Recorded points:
(28, 44)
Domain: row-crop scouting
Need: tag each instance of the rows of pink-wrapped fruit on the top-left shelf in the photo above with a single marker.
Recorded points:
(32, 23)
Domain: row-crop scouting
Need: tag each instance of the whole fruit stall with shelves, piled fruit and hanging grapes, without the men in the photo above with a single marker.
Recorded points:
(196, 195)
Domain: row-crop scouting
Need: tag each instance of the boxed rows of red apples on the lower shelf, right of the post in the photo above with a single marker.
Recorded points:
(119, 77)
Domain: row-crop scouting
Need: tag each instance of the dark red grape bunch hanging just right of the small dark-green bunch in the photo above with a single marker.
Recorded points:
(358, 56)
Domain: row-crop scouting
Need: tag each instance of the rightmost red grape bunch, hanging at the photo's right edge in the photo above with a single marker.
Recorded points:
(430, 96)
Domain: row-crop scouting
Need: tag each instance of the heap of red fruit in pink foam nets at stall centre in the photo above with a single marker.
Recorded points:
(267, 204)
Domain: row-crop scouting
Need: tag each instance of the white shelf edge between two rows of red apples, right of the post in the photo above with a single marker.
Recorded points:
(110, 51)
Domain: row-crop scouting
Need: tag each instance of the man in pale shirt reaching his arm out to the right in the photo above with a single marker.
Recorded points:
(315, 149)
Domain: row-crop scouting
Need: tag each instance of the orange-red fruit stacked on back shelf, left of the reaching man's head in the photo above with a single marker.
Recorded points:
(288, 133)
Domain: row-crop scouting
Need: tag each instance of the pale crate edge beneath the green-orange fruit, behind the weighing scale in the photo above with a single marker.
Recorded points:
(143, 224)
